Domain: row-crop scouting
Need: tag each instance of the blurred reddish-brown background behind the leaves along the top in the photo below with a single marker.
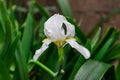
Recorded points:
(88, 12)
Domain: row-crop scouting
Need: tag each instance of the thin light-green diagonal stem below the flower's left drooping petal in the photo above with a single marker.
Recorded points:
(45, 68)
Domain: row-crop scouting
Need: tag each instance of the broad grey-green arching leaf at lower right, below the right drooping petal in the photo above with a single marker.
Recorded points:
(94, 70)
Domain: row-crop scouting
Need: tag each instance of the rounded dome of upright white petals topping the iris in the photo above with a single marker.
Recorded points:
(54, 28)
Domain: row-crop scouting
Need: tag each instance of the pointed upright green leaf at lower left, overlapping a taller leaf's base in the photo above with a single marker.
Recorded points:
(21, 71)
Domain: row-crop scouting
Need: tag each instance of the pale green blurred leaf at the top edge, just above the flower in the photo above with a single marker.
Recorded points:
(65, 7)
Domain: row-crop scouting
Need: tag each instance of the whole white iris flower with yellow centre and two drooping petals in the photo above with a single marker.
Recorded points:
(59, 31)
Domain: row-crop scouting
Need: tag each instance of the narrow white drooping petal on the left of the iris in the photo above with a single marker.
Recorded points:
(42, 49)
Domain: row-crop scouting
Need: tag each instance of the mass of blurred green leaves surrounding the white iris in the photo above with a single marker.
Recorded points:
(20, 39)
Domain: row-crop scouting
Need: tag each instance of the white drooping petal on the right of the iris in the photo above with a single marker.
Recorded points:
(84, 51)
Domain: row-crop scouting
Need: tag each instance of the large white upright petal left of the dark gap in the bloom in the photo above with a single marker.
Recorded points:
(52, 27)
